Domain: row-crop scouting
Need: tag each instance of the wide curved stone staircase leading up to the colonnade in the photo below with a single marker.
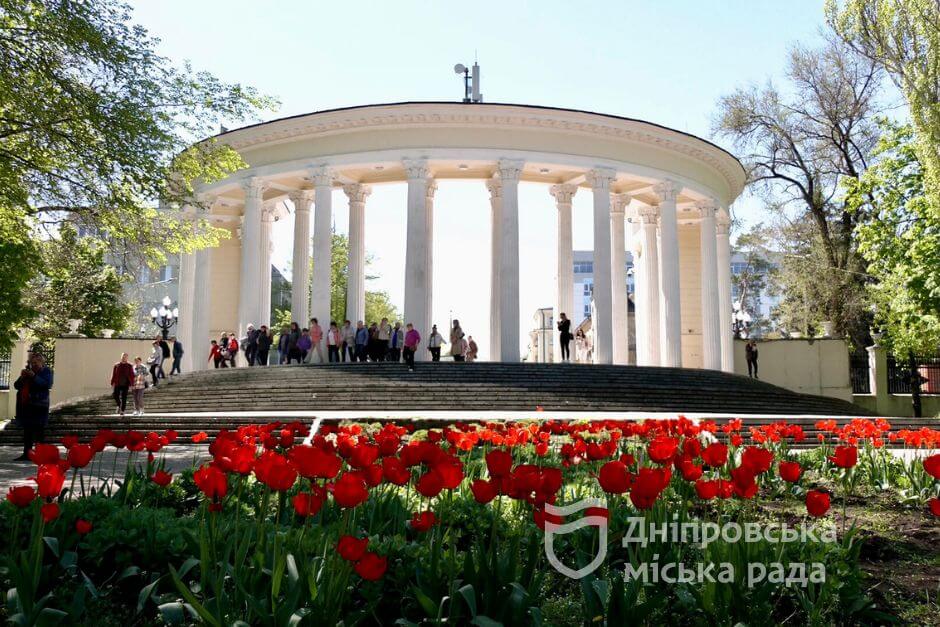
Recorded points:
(442, 386)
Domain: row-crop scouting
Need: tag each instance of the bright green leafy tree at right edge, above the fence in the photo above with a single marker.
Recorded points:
(899, 239)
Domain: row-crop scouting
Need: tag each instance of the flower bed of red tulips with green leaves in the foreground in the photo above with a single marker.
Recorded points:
(467, 523)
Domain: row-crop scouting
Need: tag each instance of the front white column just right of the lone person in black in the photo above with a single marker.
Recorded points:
(602, 323)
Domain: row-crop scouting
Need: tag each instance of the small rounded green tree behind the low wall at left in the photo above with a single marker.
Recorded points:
(75, 282)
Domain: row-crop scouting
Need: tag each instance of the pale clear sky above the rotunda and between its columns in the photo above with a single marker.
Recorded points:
(666, 62)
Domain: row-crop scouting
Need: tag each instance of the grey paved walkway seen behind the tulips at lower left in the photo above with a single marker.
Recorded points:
(177, 457)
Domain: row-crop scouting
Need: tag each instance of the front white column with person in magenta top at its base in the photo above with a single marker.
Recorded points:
(417, 278)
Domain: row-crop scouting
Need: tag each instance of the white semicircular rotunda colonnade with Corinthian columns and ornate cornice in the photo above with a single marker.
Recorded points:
(660, 193)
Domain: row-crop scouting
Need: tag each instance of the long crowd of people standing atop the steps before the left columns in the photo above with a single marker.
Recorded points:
(379, 341)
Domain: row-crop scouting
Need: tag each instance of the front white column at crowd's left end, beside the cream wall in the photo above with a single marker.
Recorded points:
(248, 302)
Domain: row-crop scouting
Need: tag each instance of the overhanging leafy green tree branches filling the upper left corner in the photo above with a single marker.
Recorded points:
(96, 128)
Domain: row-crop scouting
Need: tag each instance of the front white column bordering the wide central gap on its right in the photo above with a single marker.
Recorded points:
(509, 173)
